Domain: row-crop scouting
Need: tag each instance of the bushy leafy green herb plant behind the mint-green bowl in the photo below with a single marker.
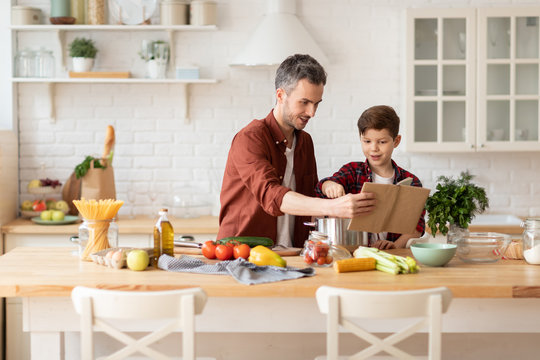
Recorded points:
(455, 203)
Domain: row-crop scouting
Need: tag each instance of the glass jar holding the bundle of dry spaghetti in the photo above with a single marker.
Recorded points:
(97, 235)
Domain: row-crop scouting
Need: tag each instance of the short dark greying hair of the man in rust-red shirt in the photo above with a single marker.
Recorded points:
(297, 67)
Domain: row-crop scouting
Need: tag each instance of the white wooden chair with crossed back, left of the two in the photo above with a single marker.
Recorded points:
(178, 307)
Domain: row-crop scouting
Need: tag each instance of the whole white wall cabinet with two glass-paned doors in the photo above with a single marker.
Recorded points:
(472, 80)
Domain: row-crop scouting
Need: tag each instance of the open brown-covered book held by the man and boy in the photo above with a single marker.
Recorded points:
(398, 209)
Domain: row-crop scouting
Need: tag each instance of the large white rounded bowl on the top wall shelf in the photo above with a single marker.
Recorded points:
(132, 12)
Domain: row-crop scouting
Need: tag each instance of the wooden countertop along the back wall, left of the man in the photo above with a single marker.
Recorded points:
(138, 225)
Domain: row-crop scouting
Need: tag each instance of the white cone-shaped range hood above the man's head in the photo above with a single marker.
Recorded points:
(279, 35)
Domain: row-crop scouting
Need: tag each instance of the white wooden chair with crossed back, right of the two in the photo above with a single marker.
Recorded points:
(341, 305)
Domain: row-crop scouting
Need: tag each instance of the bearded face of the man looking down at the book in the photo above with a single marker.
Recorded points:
(300, 104)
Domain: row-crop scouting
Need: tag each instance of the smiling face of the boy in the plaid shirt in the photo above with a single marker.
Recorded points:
(378, 146)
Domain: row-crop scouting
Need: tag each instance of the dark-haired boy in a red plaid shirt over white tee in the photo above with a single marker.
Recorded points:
(379, 128)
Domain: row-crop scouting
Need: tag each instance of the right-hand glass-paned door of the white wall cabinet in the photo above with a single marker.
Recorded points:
(508, 96)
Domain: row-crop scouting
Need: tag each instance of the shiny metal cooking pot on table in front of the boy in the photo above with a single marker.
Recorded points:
(336, 229)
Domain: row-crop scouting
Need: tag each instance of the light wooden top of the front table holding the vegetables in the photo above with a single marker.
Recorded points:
(49, 271)
